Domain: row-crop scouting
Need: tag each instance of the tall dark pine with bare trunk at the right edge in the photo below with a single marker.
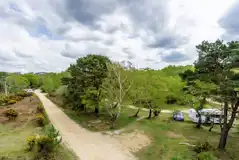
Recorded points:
(216, 64)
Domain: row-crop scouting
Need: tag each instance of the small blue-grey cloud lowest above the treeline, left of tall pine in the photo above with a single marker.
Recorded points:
(174, 57)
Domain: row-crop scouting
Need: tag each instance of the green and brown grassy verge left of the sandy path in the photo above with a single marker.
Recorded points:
(14, 133)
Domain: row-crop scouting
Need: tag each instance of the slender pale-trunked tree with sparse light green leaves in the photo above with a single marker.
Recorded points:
(115, 87)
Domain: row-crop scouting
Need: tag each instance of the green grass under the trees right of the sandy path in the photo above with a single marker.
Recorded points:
(164, 146)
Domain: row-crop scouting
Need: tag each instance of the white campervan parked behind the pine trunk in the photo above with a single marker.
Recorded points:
(207, 115)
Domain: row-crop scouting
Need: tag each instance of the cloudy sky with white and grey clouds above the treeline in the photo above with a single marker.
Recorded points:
(49, 35)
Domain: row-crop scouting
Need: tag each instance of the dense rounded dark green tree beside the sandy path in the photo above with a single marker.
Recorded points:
(88, 73)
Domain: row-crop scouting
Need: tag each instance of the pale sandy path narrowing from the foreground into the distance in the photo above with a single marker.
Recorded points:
(86, 145)
